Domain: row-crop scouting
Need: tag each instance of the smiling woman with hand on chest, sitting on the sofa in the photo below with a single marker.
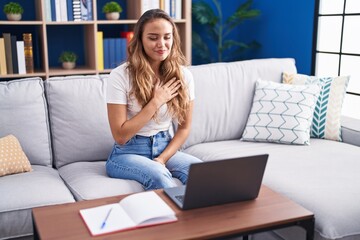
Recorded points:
(144, 95)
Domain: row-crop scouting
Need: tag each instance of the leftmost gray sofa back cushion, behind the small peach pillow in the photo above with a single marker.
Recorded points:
(23, 113)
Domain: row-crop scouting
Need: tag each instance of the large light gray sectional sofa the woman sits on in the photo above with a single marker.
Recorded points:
(62, 125)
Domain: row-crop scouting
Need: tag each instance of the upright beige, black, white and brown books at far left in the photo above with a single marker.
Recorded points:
(12, 55)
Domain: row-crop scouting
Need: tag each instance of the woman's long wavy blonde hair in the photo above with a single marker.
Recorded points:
(142, 74)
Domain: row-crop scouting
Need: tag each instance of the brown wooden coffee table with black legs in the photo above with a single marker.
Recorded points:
(268, 212)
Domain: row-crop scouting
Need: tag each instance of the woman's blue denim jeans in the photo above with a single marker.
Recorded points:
(134, 161)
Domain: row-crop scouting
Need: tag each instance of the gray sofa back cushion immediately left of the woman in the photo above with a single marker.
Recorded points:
(78, 118)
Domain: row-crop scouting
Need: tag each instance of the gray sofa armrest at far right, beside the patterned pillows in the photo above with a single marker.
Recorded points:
(350, 130)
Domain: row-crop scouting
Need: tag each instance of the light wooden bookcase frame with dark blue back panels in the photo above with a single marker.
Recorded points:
(44, 32)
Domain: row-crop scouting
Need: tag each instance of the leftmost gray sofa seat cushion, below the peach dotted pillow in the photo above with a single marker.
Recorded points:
(22, 192)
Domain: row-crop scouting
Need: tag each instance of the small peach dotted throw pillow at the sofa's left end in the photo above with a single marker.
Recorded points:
(12, 158)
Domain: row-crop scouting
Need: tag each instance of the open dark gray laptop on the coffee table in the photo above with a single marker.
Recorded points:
(219, 182)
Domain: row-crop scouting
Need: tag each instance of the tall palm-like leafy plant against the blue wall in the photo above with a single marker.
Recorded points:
(217, 31)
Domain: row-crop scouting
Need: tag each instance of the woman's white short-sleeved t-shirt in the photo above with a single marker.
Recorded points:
(118, 92)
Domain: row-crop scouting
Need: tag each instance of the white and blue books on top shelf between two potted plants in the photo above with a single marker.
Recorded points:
(68, 10)
